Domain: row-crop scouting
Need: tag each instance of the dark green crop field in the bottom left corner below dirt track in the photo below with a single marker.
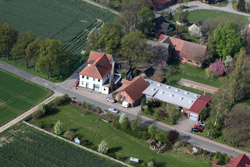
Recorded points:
(23, 146)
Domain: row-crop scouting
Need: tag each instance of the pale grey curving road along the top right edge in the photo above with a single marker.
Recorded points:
(196, 5)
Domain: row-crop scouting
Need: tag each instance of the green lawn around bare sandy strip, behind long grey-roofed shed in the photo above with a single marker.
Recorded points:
(193, 73)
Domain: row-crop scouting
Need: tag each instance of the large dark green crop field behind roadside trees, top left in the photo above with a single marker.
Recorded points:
(69, 21)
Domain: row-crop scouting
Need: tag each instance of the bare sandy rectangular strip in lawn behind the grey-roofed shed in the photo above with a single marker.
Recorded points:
(197, 85)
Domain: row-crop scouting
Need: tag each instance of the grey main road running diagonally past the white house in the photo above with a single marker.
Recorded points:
(191, 138)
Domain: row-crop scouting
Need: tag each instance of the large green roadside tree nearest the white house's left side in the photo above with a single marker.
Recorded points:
(52, 58)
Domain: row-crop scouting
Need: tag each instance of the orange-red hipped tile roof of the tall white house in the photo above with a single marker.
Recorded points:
(99, 66)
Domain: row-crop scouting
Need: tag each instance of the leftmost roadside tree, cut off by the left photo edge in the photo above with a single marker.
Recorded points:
(8, 37)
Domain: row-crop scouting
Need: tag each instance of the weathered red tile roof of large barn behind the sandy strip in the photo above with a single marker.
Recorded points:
(185, 49)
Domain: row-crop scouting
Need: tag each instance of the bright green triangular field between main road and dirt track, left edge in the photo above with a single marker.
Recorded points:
(17, 96)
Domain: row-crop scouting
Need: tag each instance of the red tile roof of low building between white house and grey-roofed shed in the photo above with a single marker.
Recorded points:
(134, 88)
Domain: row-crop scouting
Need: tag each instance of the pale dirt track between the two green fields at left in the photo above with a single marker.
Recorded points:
(24, 115)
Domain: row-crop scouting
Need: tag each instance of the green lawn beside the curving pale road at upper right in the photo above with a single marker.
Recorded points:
(198, 15)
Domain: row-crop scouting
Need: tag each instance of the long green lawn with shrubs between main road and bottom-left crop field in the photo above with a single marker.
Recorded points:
(91, 129)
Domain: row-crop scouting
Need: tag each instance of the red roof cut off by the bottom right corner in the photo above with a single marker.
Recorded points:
(240, 161)
